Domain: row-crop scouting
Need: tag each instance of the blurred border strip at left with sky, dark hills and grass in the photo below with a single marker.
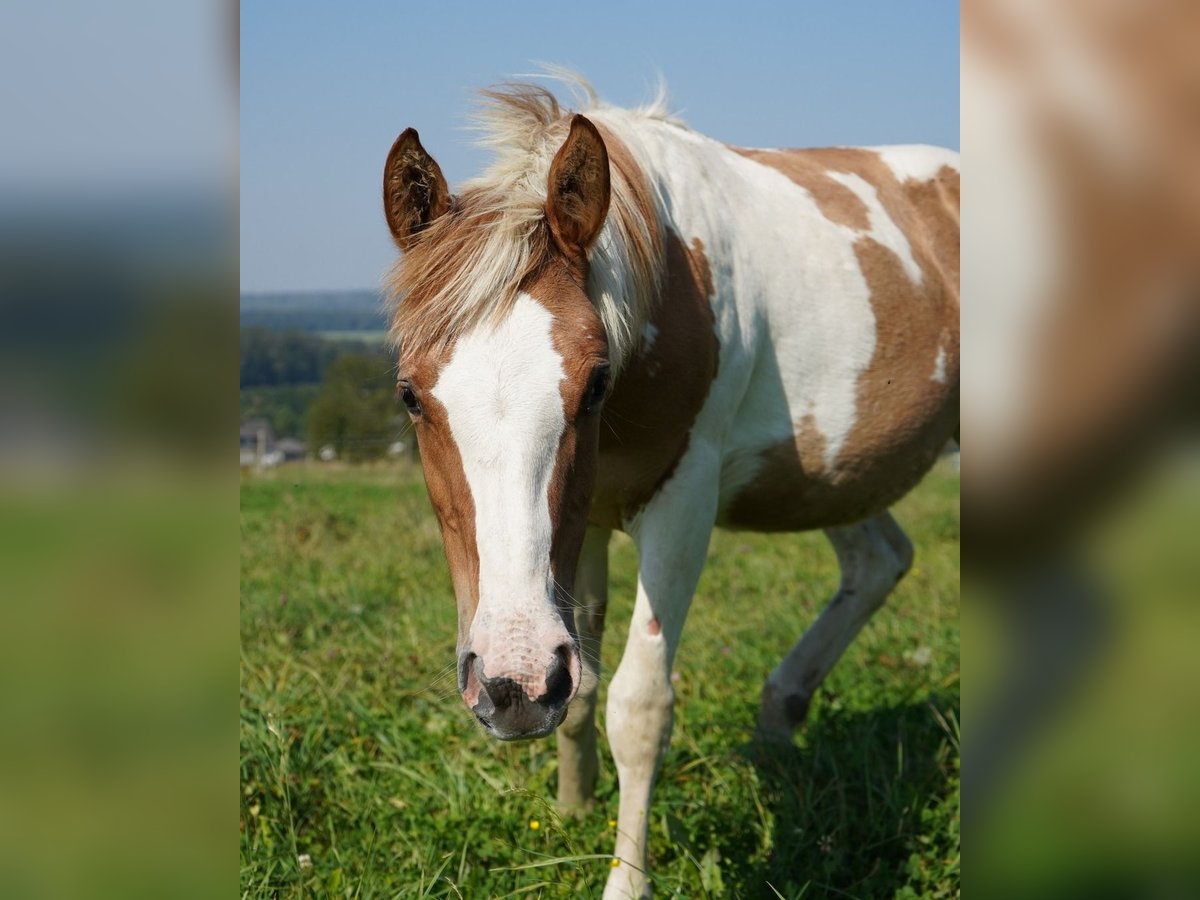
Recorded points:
(118, 509)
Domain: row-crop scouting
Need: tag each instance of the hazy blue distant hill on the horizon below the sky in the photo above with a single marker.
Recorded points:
(315, 311)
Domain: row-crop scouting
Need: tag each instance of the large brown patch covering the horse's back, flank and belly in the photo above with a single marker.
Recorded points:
(903, 417)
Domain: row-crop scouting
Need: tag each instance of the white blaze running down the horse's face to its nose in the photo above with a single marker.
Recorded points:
(501, 392)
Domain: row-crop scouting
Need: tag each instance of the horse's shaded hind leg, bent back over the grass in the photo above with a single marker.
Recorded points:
(874, 556)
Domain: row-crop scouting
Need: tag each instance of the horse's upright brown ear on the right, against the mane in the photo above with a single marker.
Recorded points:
(579, 191)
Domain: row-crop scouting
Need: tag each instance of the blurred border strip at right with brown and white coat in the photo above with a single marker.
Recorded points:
(1082, 471)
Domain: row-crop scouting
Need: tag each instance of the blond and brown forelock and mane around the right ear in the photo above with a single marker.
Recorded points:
(469, 267)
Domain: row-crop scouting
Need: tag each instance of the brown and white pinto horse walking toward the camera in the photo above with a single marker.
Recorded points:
(626, 325)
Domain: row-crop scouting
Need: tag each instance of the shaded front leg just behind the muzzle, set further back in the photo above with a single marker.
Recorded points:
(578, 763)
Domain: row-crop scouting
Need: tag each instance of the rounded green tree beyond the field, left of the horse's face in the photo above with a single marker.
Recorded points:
(356, 411)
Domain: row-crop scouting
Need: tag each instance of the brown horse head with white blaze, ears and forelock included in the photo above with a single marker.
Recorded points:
(506, 400)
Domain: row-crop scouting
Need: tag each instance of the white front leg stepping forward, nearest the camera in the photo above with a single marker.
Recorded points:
(673, 535)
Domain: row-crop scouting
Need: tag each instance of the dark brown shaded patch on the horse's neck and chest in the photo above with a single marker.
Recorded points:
(647, 421)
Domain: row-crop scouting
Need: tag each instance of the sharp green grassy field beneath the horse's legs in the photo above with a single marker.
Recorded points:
(363, 776)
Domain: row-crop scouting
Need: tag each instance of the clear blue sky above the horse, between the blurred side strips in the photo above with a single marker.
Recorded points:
(326, 88)
